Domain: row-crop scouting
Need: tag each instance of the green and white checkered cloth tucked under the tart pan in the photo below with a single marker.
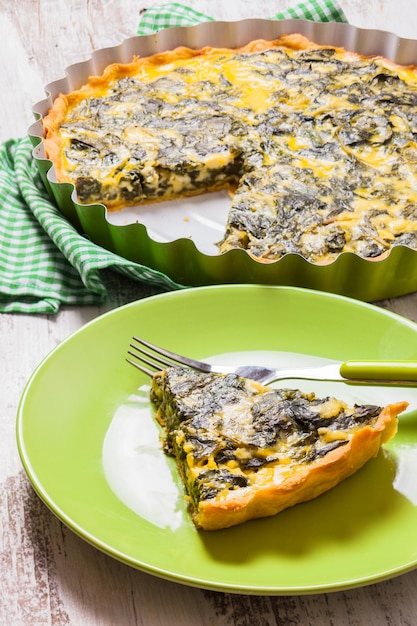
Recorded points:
(44, 261)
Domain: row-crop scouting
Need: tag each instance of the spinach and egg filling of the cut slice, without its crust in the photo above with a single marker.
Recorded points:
(222, 431)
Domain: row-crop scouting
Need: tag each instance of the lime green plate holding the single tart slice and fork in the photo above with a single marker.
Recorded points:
(89, 445)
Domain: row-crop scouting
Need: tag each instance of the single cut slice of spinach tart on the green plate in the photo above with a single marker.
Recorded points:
(245, 451)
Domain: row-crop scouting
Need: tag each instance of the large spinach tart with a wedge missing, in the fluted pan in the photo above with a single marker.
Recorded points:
(317, 145)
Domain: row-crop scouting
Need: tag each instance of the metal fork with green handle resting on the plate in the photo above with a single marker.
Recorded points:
(149, 358)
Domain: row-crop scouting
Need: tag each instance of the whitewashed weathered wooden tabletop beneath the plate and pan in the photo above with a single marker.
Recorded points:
(48, 574)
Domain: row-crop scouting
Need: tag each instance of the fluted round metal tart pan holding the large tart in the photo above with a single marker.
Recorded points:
(178, 238)
